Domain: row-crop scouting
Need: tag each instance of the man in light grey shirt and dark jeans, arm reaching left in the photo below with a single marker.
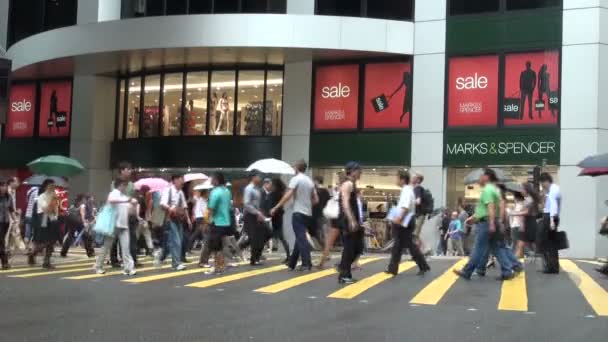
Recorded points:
(302, 189)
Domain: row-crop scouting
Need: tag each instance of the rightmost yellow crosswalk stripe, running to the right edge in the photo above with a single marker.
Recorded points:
(595, 295)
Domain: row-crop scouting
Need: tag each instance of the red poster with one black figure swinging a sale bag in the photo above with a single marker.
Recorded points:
(388, 95)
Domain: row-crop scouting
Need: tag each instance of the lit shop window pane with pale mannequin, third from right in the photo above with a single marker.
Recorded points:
(222, 102)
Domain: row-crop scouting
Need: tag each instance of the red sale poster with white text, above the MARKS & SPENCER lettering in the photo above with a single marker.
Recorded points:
(473, 91)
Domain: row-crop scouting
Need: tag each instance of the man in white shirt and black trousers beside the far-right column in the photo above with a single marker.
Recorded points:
(549, 243)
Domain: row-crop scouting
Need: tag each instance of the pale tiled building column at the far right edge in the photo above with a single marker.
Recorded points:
(584, 125)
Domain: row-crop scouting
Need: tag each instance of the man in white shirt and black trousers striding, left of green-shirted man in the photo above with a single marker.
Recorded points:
(403, 225)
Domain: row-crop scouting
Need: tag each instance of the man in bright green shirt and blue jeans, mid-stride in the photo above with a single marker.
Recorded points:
(486, 219)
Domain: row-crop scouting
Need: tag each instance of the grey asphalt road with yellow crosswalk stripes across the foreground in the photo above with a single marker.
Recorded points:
(269, 303)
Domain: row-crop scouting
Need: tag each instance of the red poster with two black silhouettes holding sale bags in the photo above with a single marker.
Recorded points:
(531, 89)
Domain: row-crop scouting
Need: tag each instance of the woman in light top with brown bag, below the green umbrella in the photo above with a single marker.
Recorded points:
(45, 223)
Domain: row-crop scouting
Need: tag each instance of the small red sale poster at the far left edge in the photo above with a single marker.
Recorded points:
(21, 108)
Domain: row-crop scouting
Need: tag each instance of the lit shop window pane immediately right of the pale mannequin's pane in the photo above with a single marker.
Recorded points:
(250, 108)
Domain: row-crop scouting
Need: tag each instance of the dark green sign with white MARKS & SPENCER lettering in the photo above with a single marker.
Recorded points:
(500, 149)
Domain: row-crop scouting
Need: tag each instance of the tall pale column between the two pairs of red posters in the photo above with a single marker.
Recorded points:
(428, 110)
